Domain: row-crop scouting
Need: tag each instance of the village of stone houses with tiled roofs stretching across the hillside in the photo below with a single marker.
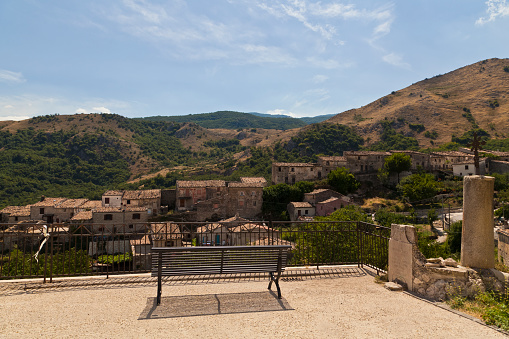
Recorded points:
(213, 200)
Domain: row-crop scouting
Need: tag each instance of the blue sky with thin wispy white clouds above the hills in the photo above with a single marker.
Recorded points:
(298, 57)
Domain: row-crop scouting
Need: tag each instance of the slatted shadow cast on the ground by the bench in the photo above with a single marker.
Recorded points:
(213, 304)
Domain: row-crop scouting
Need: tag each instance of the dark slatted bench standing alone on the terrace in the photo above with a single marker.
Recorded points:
(207, 260)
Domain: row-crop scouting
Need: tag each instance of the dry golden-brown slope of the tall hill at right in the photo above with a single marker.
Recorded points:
(441, 104)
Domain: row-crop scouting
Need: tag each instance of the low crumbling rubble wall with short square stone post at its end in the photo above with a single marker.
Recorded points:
(435, 279)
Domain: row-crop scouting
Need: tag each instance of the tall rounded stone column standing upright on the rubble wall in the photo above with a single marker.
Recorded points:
(477, 241)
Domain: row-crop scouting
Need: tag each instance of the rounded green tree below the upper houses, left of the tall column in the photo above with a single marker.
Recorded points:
(419, 186)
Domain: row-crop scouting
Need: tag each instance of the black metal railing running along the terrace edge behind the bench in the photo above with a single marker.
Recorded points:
(37, 250)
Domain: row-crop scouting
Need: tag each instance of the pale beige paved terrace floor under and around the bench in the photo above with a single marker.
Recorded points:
(341, 302)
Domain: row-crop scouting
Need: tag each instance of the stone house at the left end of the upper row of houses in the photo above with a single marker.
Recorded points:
(290, 173)
